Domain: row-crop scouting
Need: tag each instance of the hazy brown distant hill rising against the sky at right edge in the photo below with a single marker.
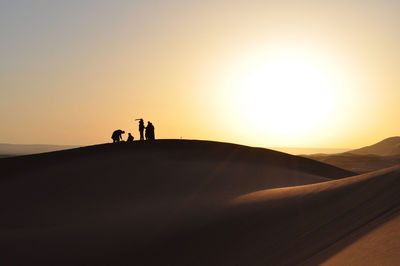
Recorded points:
(386, 147)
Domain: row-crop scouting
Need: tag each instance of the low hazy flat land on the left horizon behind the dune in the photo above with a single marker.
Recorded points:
(8, 150)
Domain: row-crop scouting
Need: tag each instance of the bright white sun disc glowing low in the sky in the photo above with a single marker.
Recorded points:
(286, 96)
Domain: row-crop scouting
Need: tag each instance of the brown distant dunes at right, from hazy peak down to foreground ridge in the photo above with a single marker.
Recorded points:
(378, 156)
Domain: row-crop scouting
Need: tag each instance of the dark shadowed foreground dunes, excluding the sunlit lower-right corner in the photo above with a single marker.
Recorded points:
(184, 203)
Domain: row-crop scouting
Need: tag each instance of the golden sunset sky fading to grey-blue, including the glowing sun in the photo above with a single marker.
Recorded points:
(259, 73)
